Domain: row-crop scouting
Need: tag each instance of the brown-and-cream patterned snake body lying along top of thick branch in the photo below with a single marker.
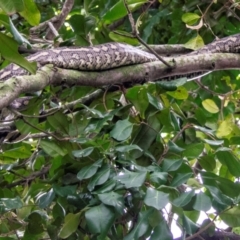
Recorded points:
(108, 56)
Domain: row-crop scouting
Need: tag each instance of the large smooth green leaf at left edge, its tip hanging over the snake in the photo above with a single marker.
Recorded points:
(9, 50)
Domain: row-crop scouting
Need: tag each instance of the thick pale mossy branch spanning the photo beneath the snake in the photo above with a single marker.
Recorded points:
(153, 71)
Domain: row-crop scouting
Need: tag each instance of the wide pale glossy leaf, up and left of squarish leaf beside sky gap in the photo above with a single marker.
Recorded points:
(132, 179)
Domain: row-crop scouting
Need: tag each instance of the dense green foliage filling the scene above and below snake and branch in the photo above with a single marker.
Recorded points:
(105, 170)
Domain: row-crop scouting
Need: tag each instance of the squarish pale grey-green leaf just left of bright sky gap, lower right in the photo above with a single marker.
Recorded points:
(156, 199)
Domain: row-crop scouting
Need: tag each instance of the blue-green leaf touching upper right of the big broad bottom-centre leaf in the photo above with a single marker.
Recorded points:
(113, 199)
